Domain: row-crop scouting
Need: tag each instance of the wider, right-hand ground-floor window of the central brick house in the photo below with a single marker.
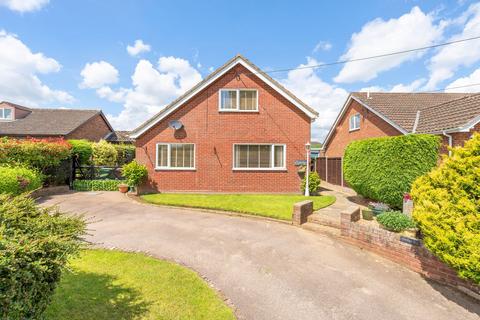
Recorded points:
(259, 156)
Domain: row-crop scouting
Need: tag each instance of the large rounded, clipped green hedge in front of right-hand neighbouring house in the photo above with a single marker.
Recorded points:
(383, 169)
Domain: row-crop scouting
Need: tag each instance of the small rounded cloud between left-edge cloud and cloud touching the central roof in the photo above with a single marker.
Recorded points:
(98, 74)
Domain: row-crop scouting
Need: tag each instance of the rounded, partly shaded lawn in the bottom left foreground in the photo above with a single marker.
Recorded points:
(110, 285)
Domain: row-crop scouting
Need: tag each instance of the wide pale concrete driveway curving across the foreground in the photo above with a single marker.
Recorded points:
(270, 270)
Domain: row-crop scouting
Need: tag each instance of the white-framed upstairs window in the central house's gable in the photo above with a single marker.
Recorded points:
(238, 100)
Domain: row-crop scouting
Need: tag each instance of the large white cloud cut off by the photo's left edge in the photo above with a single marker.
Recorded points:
(19, 69)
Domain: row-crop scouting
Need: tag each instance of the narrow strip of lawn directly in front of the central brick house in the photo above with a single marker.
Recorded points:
(274, 206)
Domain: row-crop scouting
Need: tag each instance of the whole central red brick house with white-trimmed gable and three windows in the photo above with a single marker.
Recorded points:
(238, 130)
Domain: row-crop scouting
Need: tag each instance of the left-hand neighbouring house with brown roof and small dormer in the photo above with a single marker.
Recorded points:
(21, 122)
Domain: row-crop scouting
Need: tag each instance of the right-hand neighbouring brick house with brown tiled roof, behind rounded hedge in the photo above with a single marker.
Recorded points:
(453, 116)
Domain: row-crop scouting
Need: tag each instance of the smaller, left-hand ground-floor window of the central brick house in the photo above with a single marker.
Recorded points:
(175, 156)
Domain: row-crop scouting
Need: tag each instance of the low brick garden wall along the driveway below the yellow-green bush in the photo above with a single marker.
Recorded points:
(406, 251)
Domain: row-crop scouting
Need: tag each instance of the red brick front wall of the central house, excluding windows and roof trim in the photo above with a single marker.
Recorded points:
(214, 133)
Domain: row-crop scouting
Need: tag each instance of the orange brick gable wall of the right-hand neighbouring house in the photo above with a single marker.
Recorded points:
(371, 126)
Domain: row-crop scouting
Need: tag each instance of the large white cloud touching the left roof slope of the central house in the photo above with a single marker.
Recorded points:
(152, 89)
